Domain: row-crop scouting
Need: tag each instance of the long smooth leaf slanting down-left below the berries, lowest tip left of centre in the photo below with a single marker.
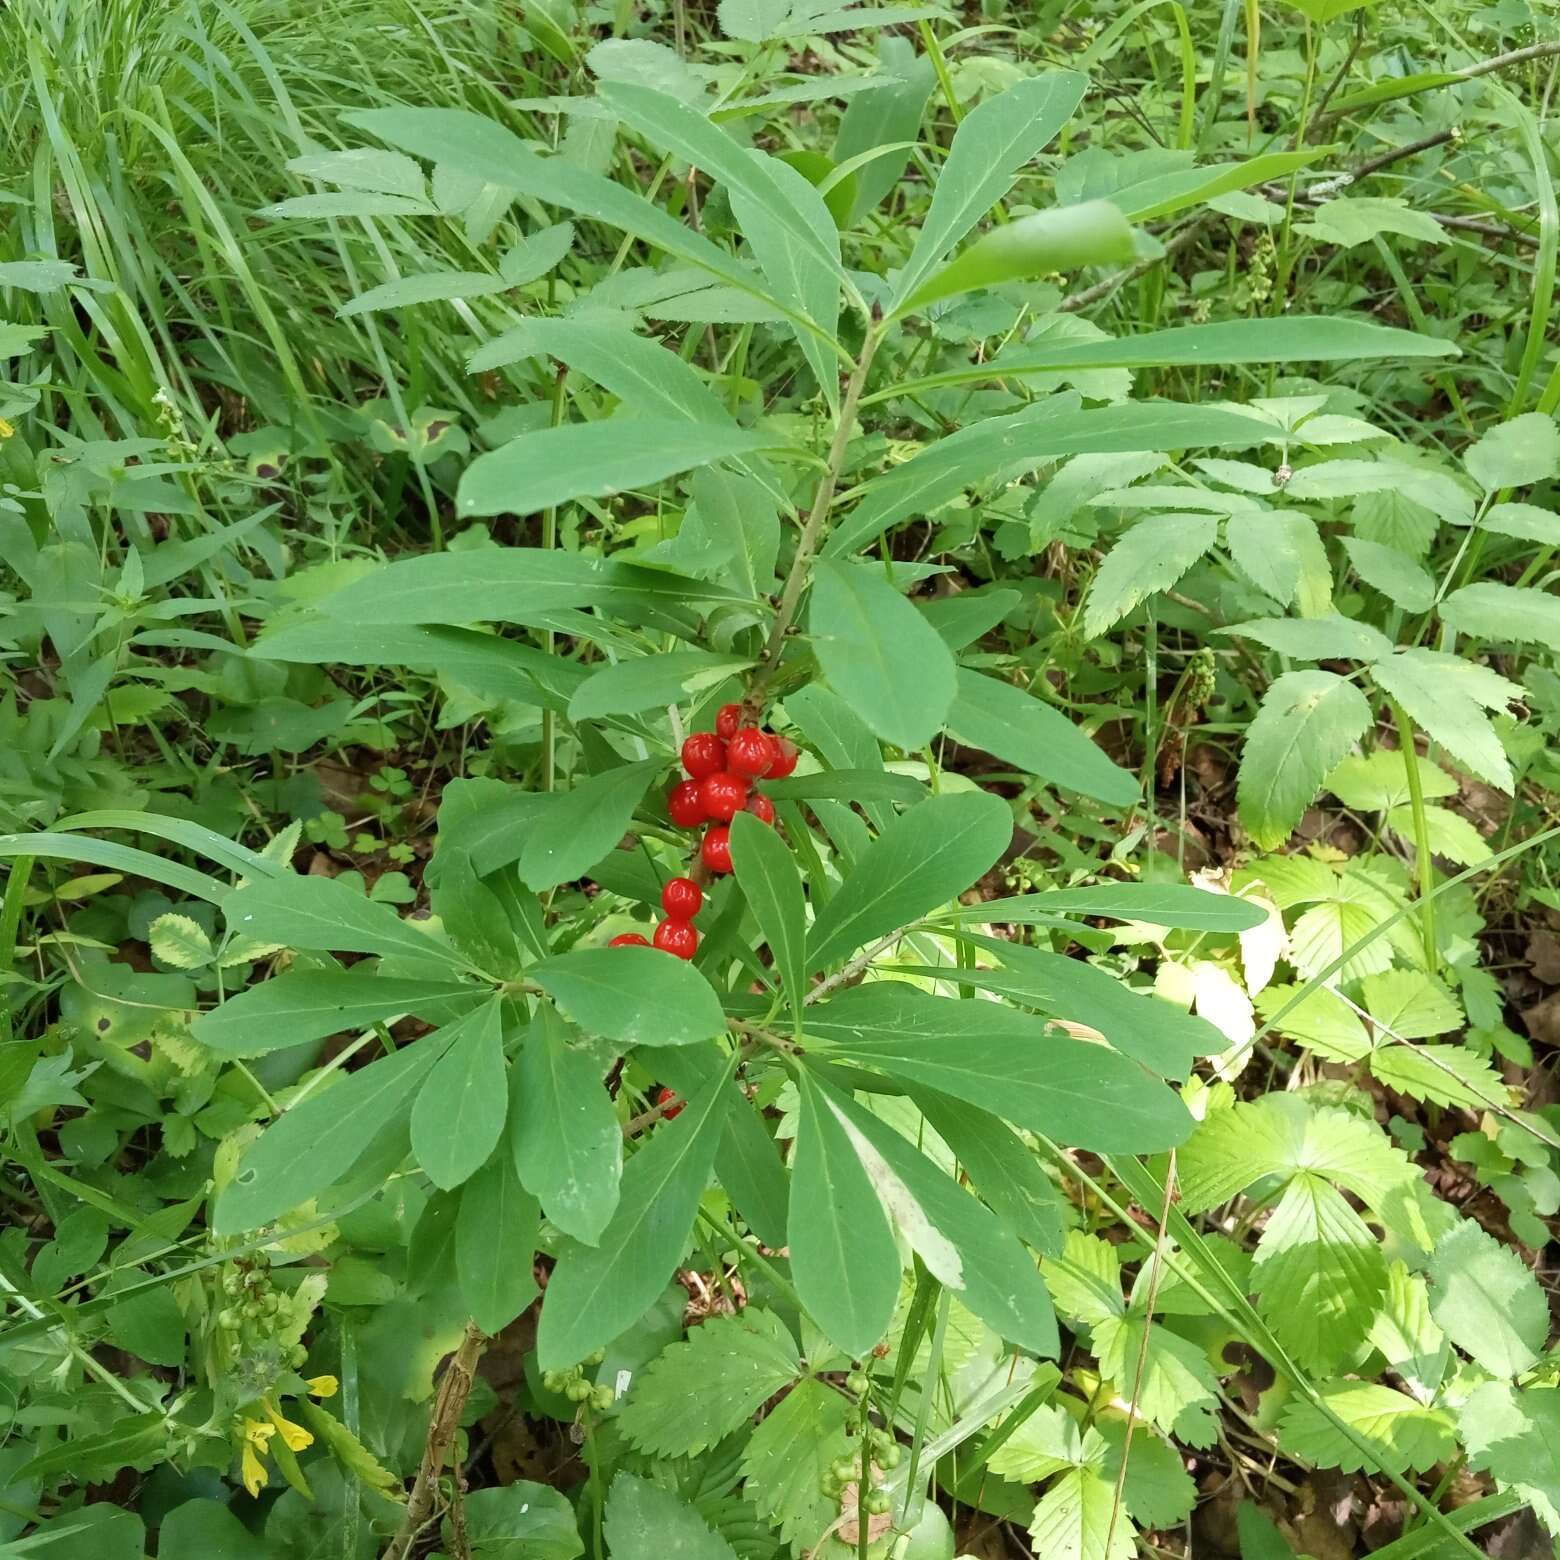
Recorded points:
(598, 1291)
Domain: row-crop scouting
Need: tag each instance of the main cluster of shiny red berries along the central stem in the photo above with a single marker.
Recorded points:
(721, 768)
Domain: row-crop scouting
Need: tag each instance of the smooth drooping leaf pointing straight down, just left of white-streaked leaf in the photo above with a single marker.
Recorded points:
(843, 1252)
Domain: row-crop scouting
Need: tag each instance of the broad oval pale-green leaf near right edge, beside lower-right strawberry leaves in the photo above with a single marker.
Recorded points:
(1487, 1302)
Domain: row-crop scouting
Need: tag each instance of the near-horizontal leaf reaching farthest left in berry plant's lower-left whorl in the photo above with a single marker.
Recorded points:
(307, 1005)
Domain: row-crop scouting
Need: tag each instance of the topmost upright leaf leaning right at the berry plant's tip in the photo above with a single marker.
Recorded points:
(993, 144)
